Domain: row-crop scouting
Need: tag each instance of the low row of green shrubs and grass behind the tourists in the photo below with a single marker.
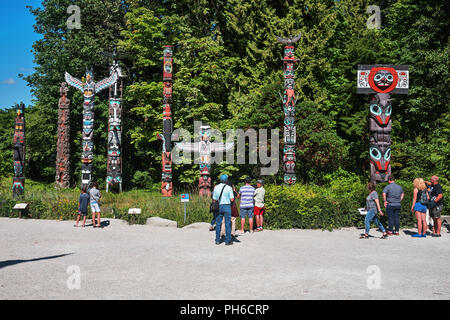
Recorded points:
(302, 206)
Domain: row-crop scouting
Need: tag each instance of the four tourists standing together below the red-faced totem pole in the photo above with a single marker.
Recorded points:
(427, 196)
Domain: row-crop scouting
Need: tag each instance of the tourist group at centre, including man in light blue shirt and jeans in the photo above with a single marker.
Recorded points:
(252, 204)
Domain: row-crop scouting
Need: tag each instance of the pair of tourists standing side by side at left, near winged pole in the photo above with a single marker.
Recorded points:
(93, 199)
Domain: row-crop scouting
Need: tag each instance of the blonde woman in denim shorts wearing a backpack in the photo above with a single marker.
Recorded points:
(419, 207)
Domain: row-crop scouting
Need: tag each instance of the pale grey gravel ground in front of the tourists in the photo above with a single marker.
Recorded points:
(40, 259)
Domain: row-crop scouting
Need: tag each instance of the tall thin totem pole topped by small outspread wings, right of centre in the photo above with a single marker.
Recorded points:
(289, 101)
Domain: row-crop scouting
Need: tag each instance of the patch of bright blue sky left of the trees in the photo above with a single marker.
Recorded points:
(16, 36)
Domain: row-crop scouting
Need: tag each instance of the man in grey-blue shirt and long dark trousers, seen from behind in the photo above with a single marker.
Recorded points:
(393, 195)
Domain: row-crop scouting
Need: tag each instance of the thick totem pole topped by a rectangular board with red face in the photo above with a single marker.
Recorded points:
(381, 80)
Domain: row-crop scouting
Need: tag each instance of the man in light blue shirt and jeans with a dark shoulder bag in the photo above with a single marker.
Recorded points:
(223, 195)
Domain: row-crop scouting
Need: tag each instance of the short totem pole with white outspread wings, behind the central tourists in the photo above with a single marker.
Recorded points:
(204, 148)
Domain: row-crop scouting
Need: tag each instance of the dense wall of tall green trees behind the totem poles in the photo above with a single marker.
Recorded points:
(228, 73)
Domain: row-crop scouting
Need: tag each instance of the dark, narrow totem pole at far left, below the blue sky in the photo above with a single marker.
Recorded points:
(19, 151)
